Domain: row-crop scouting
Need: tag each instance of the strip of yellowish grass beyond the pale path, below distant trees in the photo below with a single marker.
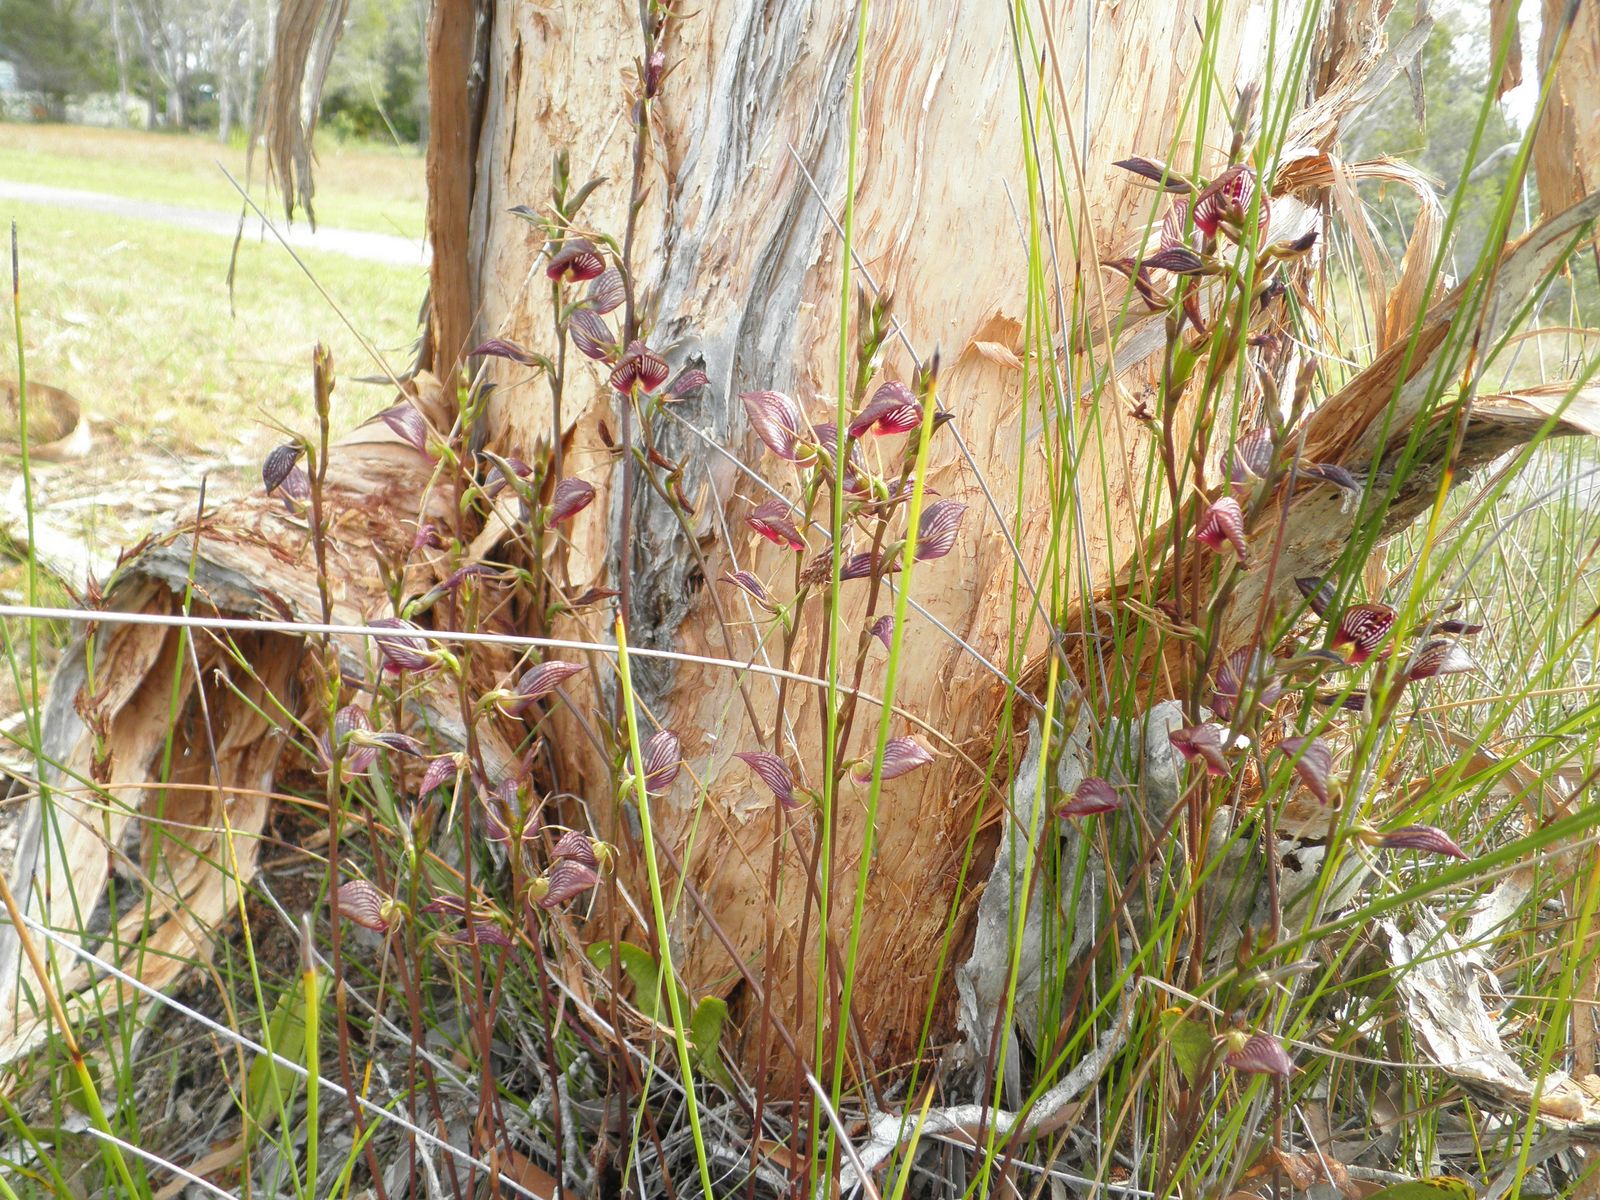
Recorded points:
(358, 186)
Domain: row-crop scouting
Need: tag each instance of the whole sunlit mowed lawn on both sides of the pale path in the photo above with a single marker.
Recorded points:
(135, 318)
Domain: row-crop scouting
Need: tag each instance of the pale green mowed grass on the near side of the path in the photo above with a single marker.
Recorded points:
(134, 319)
